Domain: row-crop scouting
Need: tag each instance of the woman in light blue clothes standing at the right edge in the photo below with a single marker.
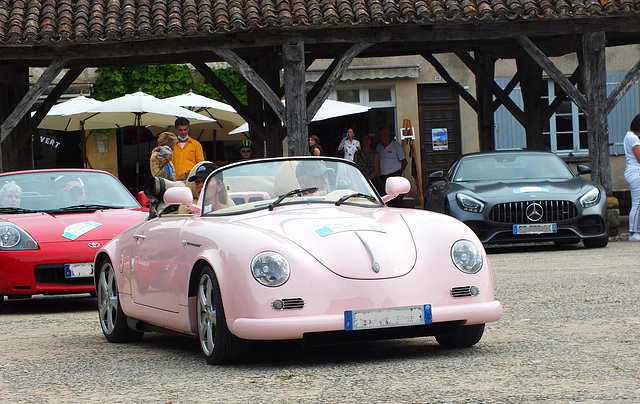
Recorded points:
(632, 175)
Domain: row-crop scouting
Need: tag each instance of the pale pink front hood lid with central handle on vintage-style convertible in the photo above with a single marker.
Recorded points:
(349, 242)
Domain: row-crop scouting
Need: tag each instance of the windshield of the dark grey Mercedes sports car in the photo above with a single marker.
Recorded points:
(511, 166)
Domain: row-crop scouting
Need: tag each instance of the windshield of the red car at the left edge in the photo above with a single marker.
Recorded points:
(59, 191)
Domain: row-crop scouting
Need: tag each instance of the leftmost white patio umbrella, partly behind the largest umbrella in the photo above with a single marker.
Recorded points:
(57, 119)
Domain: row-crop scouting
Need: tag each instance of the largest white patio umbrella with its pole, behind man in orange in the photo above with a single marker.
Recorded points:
(138, 109)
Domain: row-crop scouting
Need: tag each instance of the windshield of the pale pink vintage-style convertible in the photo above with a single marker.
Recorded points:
(267, 184)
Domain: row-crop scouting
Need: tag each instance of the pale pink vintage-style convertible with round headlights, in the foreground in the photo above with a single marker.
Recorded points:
(293, 248)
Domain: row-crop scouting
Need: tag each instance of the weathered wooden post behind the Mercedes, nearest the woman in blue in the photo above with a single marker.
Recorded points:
(595, 85)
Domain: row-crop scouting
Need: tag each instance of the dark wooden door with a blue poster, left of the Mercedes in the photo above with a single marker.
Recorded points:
(439, 113)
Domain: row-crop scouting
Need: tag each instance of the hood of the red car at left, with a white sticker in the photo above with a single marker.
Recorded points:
(98, 225)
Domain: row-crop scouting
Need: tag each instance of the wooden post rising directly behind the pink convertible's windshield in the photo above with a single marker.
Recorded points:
(296, 120)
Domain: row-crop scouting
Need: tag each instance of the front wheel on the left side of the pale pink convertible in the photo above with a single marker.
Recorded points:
(217, 344)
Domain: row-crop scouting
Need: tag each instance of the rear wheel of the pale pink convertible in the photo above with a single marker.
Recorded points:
(113, 321)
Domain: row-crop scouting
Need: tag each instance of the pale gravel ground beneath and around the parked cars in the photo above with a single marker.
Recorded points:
(569, 334)
